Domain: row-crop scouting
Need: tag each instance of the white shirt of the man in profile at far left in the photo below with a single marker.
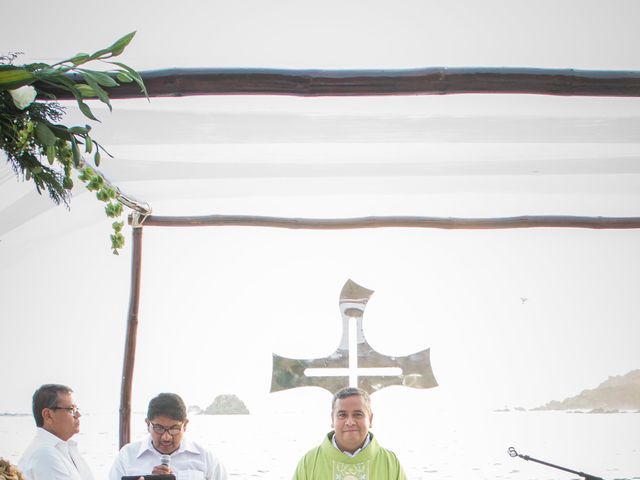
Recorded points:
(50, 458)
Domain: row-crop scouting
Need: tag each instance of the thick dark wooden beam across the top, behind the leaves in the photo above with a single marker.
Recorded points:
(179, 82)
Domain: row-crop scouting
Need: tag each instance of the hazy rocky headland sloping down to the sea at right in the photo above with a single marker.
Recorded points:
(621, 392)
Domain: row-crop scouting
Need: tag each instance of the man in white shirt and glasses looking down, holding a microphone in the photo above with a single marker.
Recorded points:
(166, 422)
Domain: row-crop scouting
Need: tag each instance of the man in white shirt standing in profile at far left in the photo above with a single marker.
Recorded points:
(52, 455)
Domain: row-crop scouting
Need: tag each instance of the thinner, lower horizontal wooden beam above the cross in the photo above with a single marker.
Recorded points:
(544, 221)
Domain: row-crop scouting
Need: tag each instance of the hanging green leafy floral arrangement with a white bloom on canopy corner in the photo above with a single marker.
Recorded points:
(41, 149)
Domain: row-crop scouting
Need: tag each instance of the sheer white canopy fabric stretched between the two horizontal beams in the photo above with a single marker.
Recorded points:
(533, 154)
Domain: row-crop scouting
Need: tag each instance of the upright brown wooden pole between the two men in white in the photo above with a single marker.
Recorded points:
(130, 342)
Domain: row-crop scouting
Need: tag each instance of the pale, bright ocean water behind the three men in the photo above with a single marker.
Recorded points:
(430, 444)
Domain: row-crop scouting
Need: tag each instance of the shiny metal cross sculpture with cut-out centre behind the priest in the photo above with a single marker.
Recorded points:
(354, 363)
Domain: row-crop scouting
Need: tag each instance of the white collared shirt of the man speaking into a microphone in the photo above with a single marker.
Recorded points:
(190, 462)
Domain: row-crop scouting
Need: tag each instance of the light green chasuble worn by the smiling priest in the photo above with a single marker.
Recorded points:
(326, 462)
